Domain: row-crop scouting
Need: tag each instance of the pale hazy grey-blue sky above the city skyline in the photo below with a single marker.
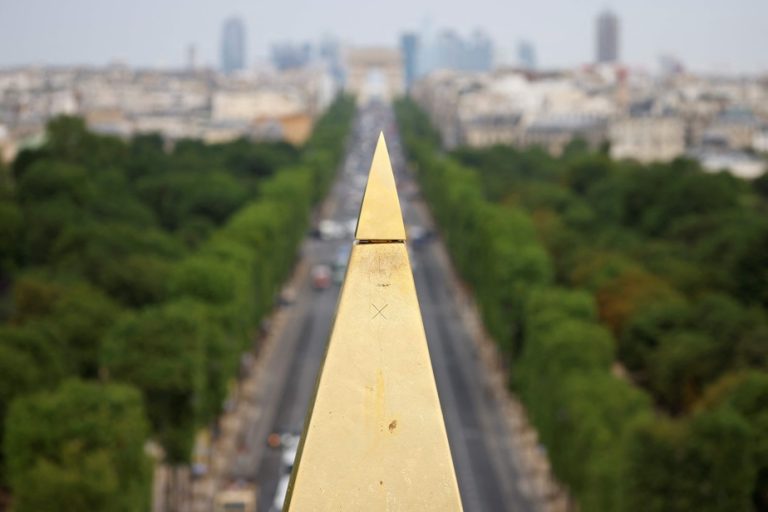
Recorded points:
(722, 35)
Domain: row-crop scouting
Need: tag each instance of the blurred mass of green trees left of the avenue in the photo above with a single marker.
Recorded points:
(134, 277)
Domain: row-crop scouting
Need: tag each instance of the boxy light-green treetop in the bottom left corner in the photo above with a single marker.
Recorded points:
(78, 448)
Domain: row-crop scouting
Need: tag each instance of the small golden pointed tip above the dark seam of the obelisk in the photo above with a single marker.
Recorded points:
(380, 217)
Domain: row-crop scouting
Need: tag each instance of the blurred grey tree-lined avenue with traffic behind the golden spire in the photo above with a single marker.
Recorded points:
(477, 431)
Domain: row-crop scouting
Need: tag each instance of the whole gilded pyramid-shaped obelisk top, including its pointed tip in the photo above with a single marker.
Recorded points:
(375, 439)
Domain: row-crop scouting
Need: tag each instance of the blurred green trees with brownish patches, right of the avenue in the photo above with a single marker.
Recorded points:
(572, 268)
